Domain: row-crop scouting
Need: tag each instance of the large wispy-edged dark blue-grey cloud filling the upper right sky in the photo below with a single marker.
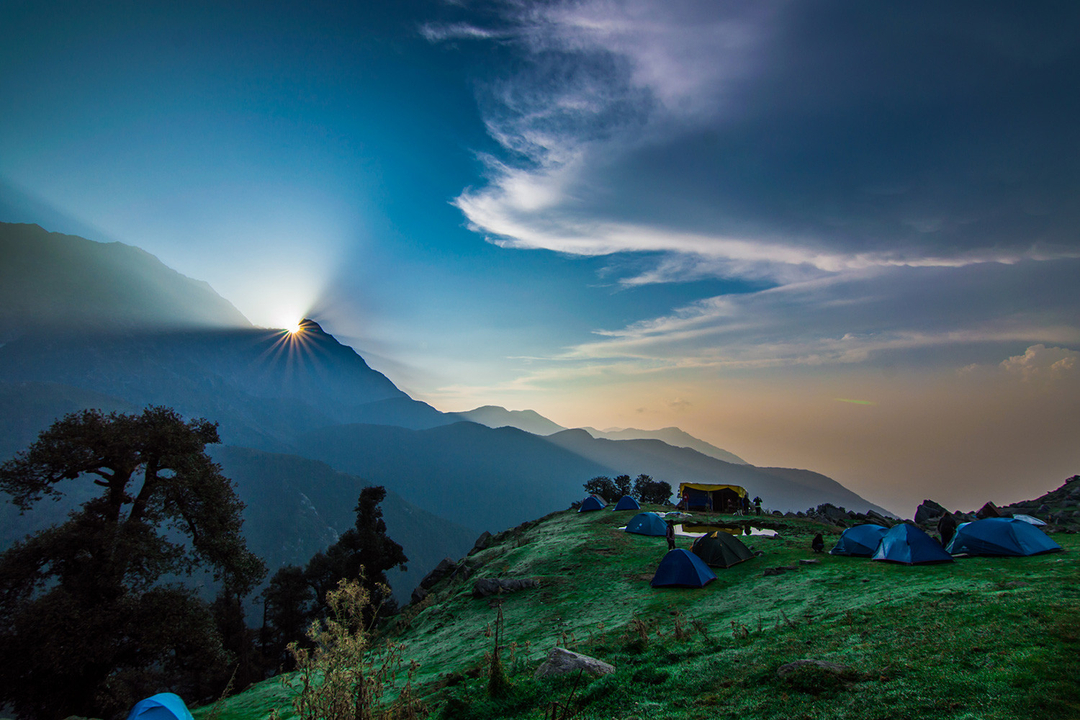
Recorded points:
(780, 141)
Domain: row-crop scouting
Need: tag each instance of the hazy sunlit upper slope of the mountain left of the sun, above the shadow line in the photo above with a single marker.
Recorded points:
(52, 281)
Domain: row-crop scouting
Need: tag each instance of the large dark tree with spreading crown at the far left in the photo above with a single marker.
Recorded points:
(86, 626)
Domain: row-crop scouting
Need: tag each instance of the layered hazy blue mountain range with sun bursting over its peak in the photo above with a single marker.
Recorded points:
(305, 420)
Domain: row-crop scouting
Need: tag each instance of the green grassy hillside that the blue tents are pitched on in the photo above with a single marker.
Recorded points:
(979, 639)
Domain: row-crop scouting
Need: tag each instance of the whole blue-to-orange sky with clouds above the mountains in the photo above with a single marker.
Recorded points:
(833, 236)
